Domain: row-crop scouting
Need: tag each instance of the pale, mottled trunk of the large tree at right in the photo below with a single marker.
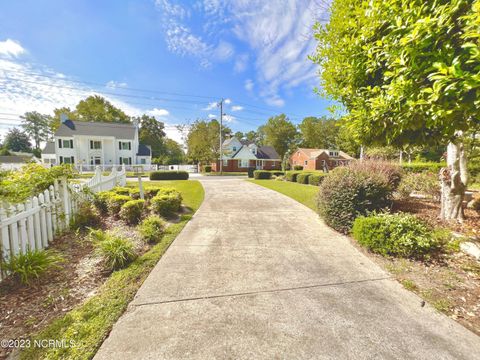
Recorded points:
(453, 181)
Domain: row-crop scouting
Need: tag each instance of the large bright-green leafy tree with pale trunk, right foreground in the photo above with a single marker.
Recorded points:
(407, 73)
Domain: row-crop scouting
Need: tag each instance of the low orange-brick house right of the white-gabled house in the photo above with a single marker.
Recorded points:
(319, 159)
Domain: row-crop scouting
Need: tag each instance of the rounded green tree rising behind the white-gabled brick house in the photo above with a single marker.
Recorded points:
(280, 133)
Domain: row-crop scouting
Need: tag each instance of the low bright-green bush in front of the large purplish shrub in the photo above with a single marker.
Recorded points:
(401, 235)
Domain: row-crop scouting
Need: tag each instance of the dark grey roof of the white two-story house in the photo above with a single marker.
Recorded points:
(118, 130)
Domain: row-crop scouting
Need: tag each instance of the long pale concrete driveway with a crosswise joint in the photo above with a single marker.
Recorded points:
(256, 275)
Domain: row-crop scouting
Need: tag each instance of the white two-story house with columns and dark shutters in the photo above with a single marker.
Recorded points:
(87, 144)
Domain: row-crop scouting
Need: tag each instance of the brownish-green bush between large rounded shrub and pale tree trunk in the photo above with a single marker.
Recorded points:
(425, 183)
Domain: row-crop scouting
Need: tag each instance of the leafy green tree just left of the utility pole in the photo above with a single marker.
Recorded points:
(203, 141)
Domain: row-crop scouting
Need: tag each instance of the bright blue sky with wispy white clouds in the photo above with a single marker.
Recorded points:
(190, 53)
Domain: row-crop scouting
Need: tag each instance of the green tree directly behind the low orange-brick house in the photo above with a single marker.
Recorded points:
(319, 133)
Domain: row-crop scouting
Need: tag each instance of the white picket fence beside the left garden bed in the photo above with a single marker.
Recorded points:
(34, 223)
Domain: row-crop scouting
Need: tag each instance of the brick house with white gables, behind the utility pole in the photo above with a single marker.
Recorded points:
(240, 155)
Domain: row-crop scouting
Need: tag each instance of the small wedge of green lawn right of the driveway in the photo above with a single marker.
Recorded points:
(305, 194)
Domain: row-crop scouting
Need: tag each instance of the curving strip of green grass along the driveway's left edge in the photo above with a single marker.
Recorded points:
(86, 326)
